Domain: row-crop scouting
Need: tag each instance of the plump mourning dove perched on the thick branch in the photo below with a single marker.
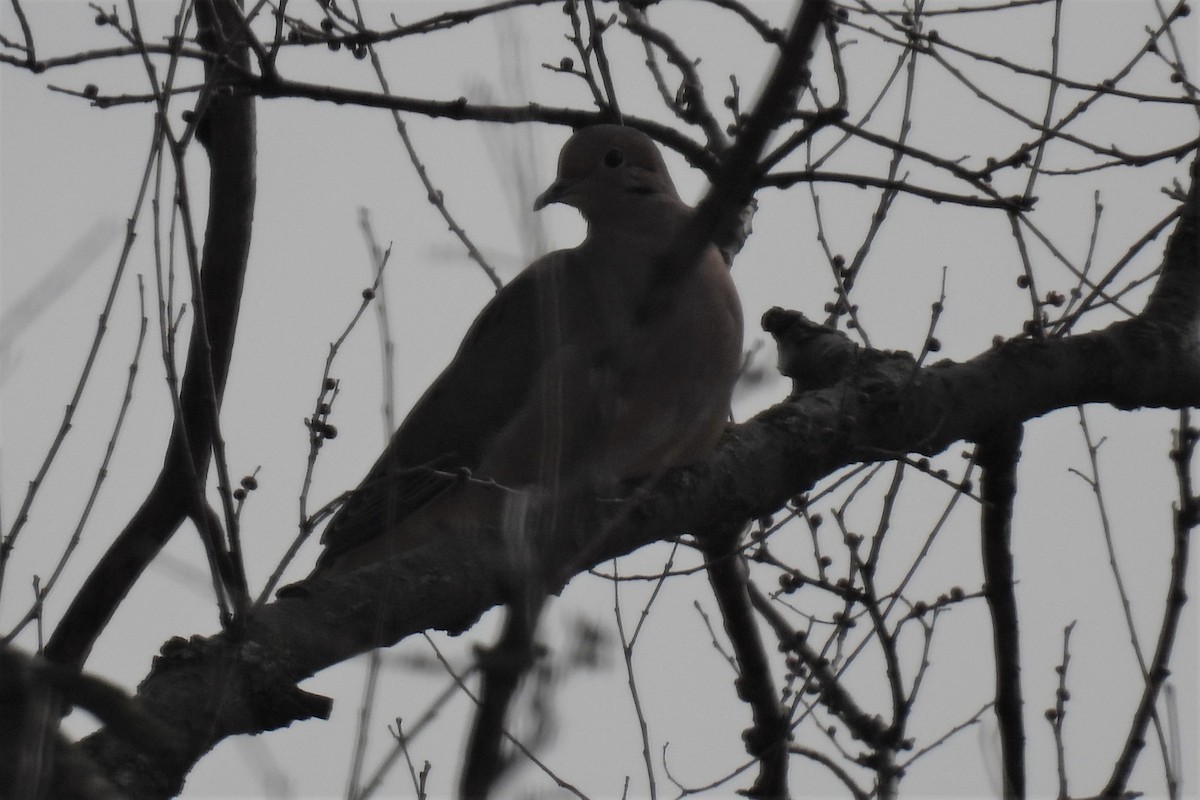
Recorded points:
(581, 374)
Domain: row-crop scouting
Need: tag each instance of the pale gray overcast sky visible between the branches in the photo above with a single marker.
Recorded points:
(69, 173)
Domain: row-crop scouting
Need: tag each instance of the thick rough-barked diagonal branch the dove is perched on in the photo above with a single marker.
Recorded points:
(886, 406)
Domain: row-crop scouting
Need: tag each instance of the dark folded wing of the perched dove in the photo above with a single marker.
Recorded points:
(451, 426)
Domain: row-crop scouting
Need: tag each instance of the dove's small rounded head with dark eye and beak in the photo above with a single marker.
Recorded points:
(607, 171)
